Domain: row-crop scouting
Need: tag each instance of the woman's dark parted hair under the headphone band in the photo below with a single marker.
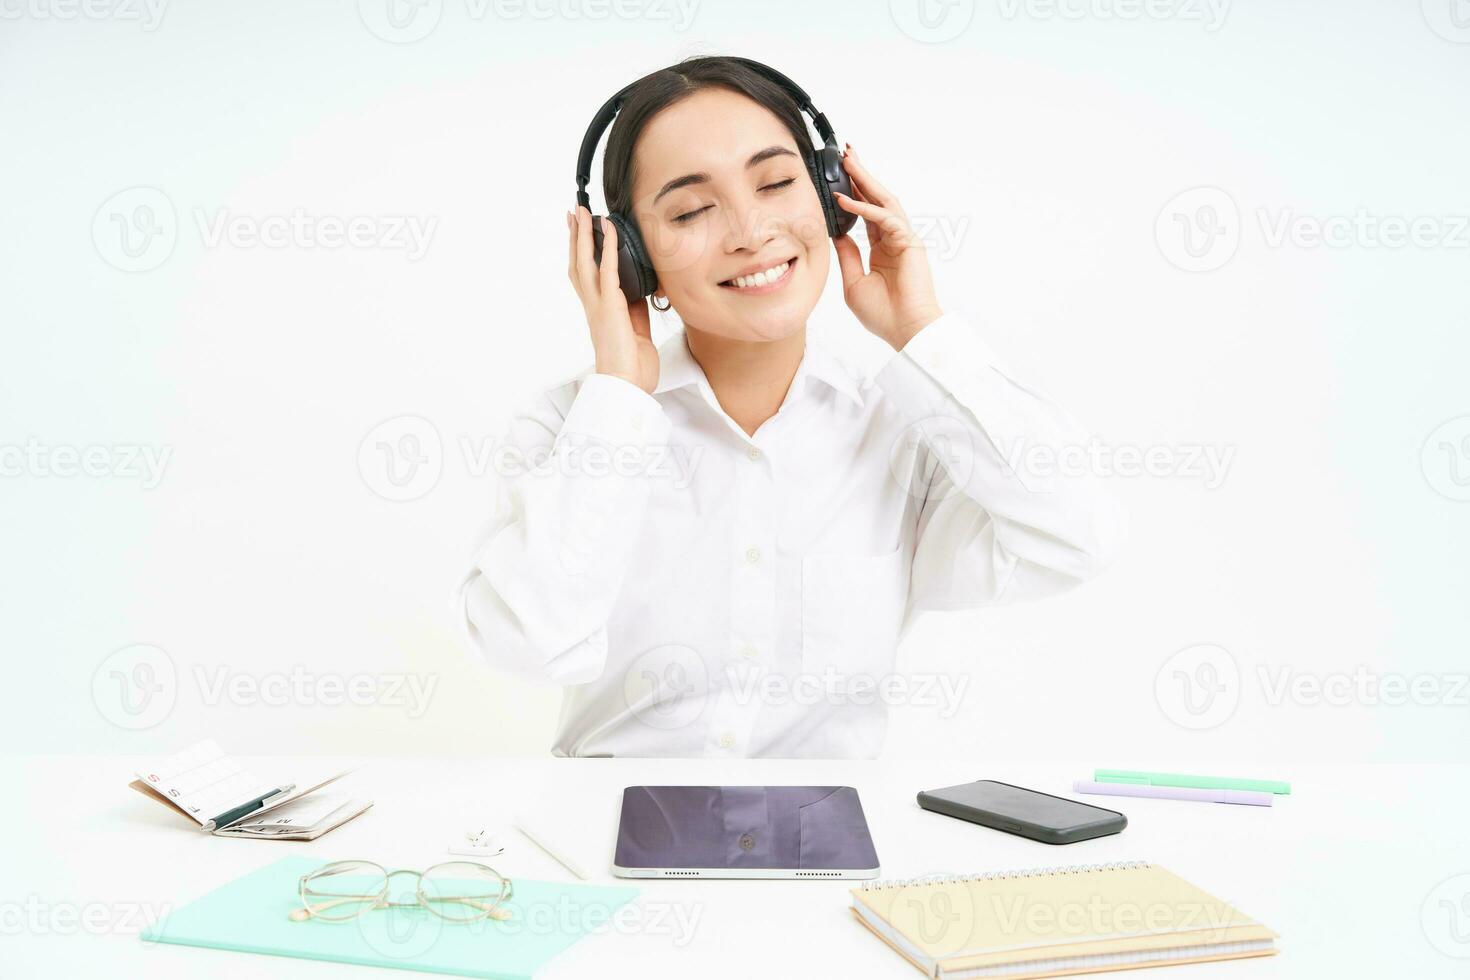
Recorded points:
(670, 86)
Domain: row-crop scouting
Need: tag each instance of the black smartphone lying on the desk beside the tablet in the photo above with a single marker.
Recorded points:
(1024, 812)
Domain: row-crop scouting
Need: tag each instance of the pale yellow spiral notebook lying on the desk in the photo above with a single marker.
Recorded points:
(1056, 922)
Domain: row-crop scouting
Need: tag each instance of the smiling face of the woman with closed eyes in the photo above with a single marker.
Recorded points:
(721, 192)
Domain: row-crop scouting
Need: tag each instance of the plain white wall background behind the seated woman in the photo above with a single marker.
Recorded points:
(1044, 151)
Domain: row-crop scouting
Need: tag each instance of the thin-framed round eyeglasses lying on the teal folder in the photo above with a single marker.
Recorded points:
(455, 891)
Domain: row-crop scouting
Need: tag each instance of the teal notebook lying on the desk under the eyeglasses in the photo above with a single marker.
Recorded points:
(251, 915)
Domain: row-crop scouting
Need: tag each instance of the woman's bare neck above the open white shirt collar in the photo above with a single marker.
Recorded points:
(750, 378)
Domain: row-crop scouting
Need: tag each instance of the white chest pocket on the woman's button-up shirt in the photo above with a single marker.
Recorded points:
(852, 608)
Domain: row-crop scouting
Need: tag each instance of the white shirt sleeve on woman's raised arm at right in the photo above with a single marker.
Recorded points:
(1009, 508)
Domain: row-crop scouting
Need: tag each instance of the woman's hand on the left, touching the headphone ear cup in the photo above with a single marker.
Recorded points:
(623, 342)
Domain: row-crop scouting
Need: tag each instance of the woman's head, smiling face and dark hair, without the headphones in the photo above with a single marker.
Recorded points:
(714, 152)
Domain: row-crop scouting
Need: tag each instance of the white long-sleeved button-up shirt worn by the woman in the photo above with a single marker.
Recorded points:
(700, 591)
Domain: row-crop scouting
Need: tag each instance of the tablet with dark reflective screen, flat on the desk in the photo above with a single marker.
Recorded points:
(745, 832)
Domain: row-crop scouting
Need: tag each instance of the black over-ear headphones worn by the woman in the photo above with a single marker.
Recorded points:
(636, 273)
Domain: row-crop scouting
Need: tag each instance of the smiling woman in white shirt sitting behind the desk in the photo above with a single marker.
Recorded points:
(717, 544)
